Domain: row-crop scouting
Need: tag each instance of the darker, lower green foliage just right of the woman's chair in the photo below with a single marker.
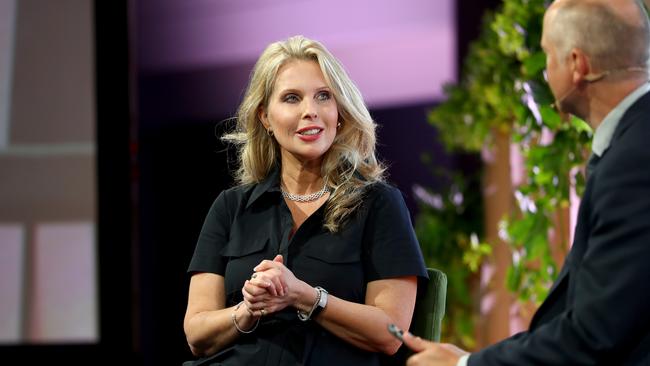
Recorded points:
(448, 226)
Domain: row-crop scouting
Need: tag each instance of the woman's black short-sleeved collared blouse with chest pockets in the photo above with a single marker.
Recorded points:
(247, 224)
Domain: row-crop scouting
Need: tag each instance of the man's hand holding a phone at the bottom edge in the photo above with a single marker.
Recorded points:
(431, 353)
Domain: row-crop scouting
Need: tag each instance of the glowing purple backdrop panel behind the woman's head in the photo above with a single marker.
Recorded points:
(398, 52)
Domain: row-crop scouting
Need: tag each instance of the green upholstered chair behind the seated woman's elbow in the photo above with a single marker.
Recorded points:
(427, 316)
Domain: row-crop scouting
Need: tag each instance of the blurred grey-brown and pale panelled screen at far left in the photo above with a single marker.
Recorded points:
(48, 246)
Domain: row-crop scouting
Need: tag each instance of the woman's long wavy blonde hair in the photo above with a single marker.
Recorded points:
(349, 166)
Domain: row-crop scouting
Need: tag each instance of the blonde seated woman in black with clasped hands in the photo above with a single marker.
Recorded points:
(309, 258)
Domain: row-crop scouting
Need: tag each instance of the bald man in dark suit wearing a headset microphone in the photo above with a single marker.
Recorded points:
(598, 310)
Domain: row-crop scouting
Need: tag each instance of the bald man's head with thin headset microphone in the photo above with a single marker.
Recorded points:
(589, 40)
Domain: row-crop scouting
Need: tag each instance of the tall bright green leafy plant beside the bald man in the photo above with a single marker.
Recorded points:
(503, 90)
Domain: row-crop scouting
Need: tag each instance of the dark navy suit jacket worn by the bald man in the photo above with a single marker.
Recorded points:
(598, 310)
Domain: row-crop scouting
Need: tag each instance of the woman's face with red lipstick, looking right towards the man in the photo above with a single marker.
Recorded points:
(302, 112)
